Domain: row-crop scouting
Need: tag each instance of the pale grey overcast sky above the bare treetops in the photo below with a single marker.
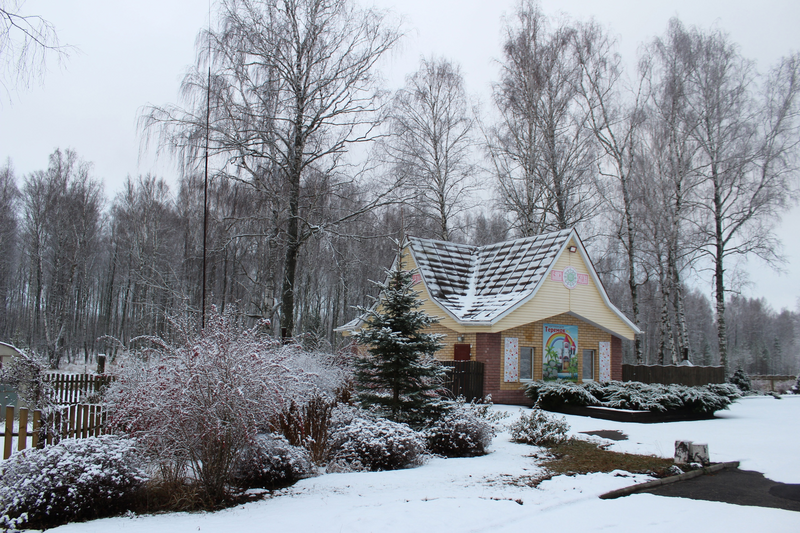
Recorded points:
(131, 54)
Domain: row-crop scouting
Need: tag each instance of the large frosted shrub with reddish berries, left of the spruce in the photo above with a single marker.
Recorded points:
(199, 405)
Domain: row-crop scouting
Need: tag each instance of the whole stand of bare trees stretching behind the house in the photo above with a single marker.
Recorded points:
(679, 167)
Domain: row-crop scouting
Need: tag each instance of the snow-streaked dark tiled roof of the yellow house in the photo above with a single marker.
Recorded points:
(478, 284)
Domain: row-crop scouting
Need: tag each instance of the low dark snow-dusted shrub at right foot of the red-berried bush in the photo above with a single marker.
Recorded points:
(272, 462)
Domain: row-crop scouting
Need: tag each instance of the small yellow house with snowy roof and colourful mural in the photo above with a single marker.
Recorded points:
(528, 309)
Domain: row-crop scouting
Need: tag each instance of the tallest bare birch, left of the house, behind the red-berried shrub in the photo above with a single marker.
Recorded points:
(293, 89)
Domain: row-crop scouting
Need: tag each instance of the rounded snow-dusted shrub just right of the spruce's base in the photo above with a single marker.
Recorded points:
(461, 431)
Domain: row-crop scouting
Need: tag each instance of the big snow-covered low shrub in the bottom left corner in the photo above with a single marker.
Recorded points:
(77, 479)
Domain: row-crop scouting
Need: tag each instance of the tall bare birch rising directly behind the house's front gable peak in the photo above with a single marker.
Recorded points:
(542, 150)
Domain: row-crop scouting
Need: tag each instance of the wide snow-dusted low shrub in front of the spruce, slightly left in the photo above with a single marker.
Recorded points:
(359, 441)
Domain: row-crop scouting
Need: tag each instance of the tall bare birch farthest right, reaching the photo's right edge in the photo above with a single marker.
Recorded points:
(748, 139)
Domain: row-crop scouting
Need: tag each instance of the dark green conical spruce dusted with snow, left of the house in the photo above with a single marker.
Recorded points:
(399, 375)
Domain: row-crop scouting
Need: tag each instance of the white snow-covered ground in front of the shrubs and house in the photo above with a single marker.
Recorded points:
(488, 494)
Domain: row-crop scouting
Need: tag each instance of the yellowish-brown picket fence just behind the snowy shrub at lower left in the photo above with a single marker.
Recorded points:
(73, 421)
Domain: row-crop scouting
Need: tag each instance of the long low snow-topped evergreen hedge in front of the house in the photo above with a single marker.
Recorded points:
(634, 395)
